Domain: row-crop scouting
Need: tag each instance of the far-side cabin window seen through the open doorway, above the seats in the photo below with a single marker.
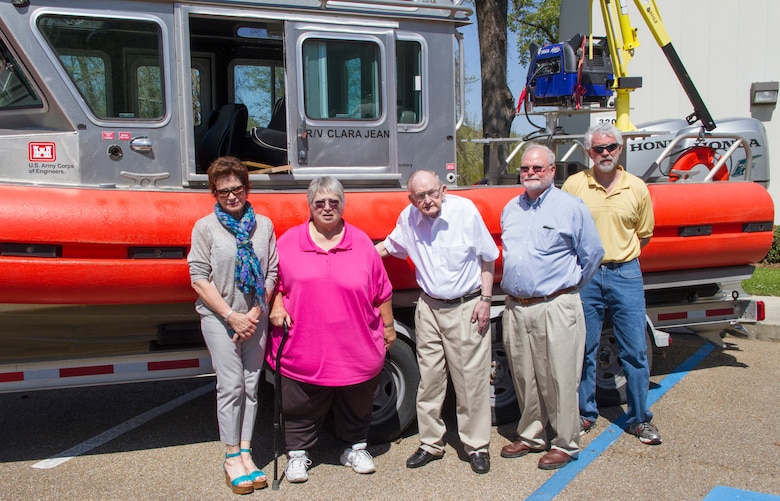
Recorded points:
(258, 86)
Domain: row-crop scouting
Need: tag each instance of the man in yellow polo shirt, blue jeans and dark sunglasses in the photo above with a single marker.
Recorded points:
(621, 206)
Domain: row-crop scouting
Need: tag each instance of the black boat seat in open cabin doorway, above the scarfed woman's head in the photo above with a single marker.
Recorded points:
(225, 134)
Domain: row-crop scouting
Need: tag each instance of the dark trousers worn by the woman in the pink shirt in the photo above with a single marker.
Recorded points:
(305, 407)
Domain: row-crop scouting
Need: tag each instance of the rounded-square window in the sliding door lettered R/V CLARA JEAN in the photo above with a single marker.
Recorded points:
(341, 80)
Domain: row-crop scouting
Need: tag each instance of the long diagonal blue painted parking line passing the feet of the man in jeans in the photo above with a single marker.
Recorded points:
(555, 484)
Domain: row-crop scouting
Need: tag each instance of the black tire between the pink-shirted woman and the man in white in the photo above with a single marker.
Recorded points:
(394, 401)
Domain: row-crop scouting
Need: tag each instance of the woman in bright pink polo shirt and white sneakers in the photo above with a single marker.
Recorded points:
(335, 295)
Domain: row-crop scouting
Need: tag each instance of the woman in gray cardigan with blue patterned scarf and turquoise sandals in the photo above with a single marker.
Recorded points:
(233, 268)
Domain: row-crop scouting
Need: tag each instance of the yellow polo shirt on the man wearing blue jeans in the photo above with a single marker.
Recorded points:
(623, 217)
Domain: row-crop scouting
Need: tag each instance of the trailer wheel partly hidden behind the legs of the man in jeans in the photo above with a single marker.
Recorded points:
(610, 377)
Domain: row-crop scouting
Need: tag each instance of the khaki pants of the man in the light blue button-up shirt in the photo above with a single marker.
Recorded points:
(545, 345)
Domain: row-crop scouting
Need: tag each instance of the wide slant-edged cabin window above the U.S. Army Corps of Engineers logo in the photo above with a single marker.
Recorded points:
(114, 64)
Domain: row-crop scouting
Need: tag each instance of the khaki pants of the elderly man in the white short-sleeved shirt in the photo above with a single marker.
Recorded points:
(447, 341)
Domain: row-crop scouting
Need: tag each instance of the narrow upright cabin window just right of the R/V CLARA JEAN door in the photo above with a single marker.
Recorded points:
(409, 81)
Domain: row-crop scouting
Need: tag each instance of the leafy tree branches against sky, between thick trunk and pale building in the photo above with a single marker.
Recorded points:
(534, 21)
